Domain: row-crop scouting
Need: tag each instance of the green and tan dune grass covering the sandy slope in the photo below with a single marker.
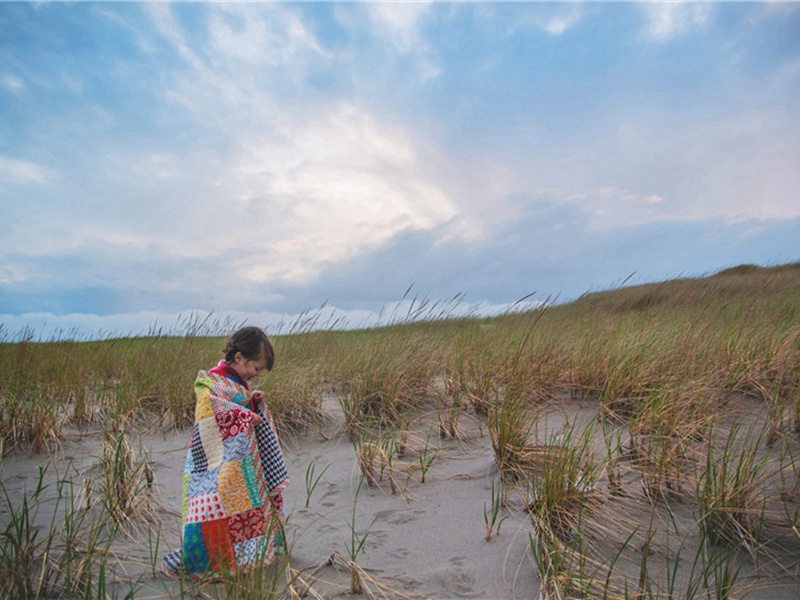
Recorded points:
(673, 374)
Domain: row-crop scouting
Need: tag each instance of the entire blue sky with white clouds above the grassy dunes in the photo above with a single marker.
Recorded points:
(270, 163)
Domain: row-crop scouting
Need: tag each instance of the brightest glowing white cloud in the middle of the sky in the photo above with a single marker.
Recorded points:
(344, 184)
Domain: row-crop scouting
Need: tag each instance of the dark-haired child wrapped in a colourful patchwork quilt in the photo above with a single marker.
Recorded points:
(234, 473)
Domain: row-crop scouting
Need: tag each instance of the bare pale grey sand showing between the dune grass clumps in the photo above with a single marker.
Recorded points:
(426, 540)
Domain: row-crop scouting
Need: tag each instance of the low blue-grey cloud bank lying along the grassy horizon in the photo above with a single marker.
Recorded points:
(551, 251)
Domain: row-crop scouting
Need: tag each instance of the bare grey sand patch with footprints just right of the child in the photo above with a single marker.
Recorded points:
(427, 539)
